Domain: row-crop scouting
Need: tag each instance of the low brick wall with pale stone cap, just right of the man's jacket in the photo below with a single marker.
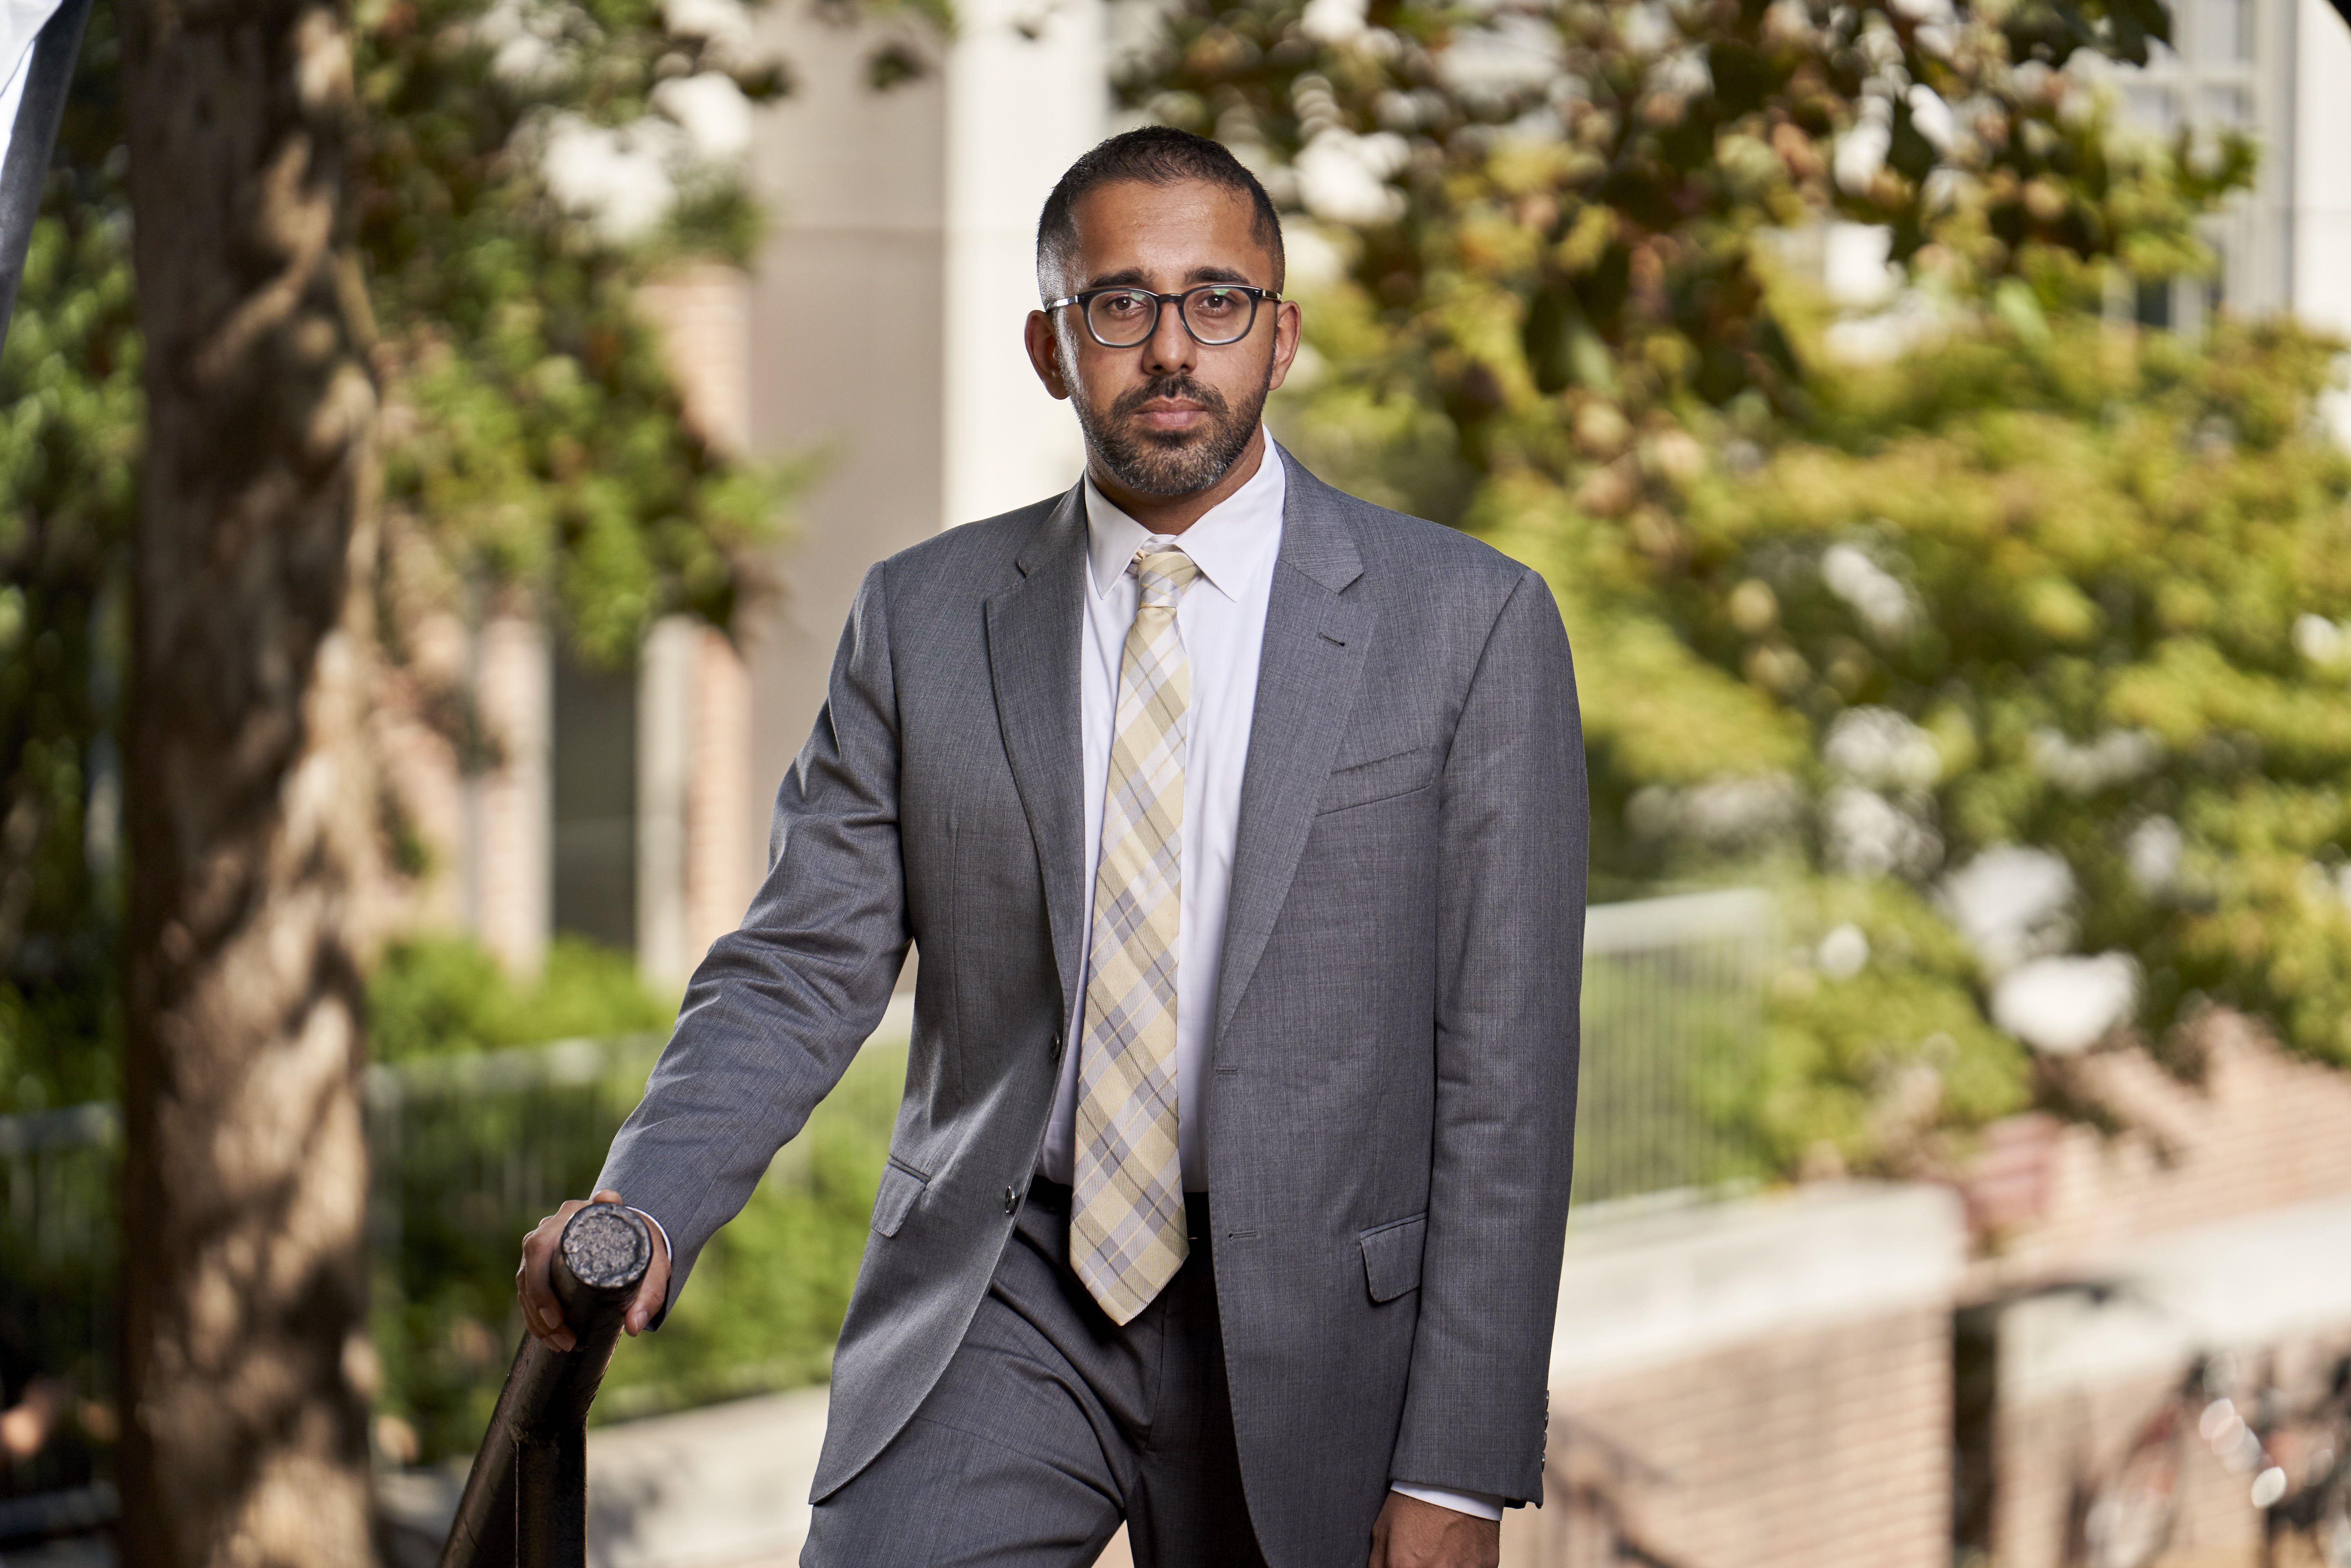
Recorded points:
(1755, 1386)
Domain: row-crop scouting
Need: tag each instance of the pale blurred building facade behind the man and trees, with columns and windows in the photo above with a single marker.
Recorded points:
(880, 337)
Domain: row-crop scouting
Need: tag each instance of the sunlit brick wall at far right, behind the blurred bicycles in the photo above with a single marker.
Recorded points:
(2218, 1221)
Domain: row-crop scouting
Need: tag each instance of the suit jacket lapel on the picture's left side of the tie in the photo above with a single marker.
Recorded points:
(1033, 636)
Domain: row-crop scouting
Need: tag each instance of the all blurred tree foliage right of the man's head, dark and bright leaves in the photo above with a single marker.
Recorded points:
(2007, 641)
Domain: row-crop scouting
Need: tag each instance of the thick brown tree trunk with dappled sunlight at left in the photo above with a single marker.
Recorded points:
(250, 812)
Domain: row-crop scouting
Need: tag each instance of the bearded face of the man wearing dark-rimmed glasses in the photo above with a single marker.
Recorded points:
(1170, 415)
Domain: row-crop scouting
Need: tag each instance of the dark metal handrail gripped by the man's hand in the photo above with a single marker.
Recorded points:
(525, 1501)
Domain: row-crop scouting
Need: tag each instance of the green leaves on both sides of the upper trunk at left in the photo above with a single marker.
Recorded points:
(533, 443)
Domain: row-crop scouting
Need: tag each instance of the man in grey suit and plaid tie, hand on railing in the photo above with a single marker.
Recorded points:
(1243, 833)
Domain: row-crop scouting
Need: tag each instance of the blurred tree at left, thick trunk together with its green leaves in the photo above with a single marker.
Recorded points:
(462, 203)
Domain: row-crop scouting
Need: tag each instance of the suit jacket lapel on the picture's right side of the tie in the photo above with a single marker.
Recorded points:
(1315, 643)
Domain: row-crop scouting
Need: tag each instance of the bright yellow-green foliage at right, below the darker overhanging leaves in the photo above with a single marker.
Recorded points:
(2068, 591)
